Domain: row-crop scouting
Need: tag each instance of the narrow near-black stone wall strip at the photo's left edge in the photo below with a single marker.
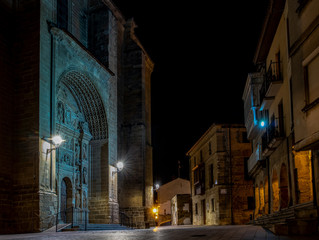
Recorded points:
(6, 116)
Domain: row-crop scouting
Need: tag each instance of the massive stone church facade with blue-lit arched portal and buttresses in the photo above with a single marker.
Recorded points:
(74, 69)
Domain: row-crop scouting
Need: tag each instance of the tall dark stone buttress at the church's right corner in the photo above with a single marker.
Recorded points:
(136, 140)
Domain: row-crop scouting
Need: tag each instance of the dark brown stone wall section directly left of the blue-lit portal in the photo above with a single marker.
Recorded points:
(26, 118)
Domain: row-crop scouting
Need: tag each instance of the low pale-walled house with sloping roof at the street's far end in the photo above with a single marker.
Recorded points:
(166, 192)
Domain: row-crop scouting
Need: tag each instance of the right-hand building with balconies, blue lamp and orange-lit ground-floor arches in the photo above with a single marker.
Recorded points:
(281, 116)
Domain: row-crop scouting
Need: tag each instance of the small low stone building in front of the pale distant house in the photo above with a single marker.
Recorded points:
(181, 212)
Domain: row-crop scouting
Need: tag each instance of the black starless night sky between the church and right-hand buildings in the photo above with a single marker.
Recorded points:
(203, 51)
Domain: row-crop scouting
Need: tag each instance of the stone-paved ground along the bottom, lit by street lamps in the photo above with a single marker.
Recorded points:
(243, 232)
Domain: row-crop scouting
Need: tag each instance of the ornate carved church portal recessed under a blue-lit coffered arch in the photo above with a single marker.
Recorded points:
(81, 122)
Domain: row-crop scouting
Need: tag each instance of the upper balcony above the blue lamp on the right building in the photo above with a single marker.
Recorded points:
(271, 85)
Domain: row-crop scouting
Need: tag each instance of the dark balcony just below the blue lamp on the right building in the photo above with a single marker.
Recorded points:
(271, 138)
